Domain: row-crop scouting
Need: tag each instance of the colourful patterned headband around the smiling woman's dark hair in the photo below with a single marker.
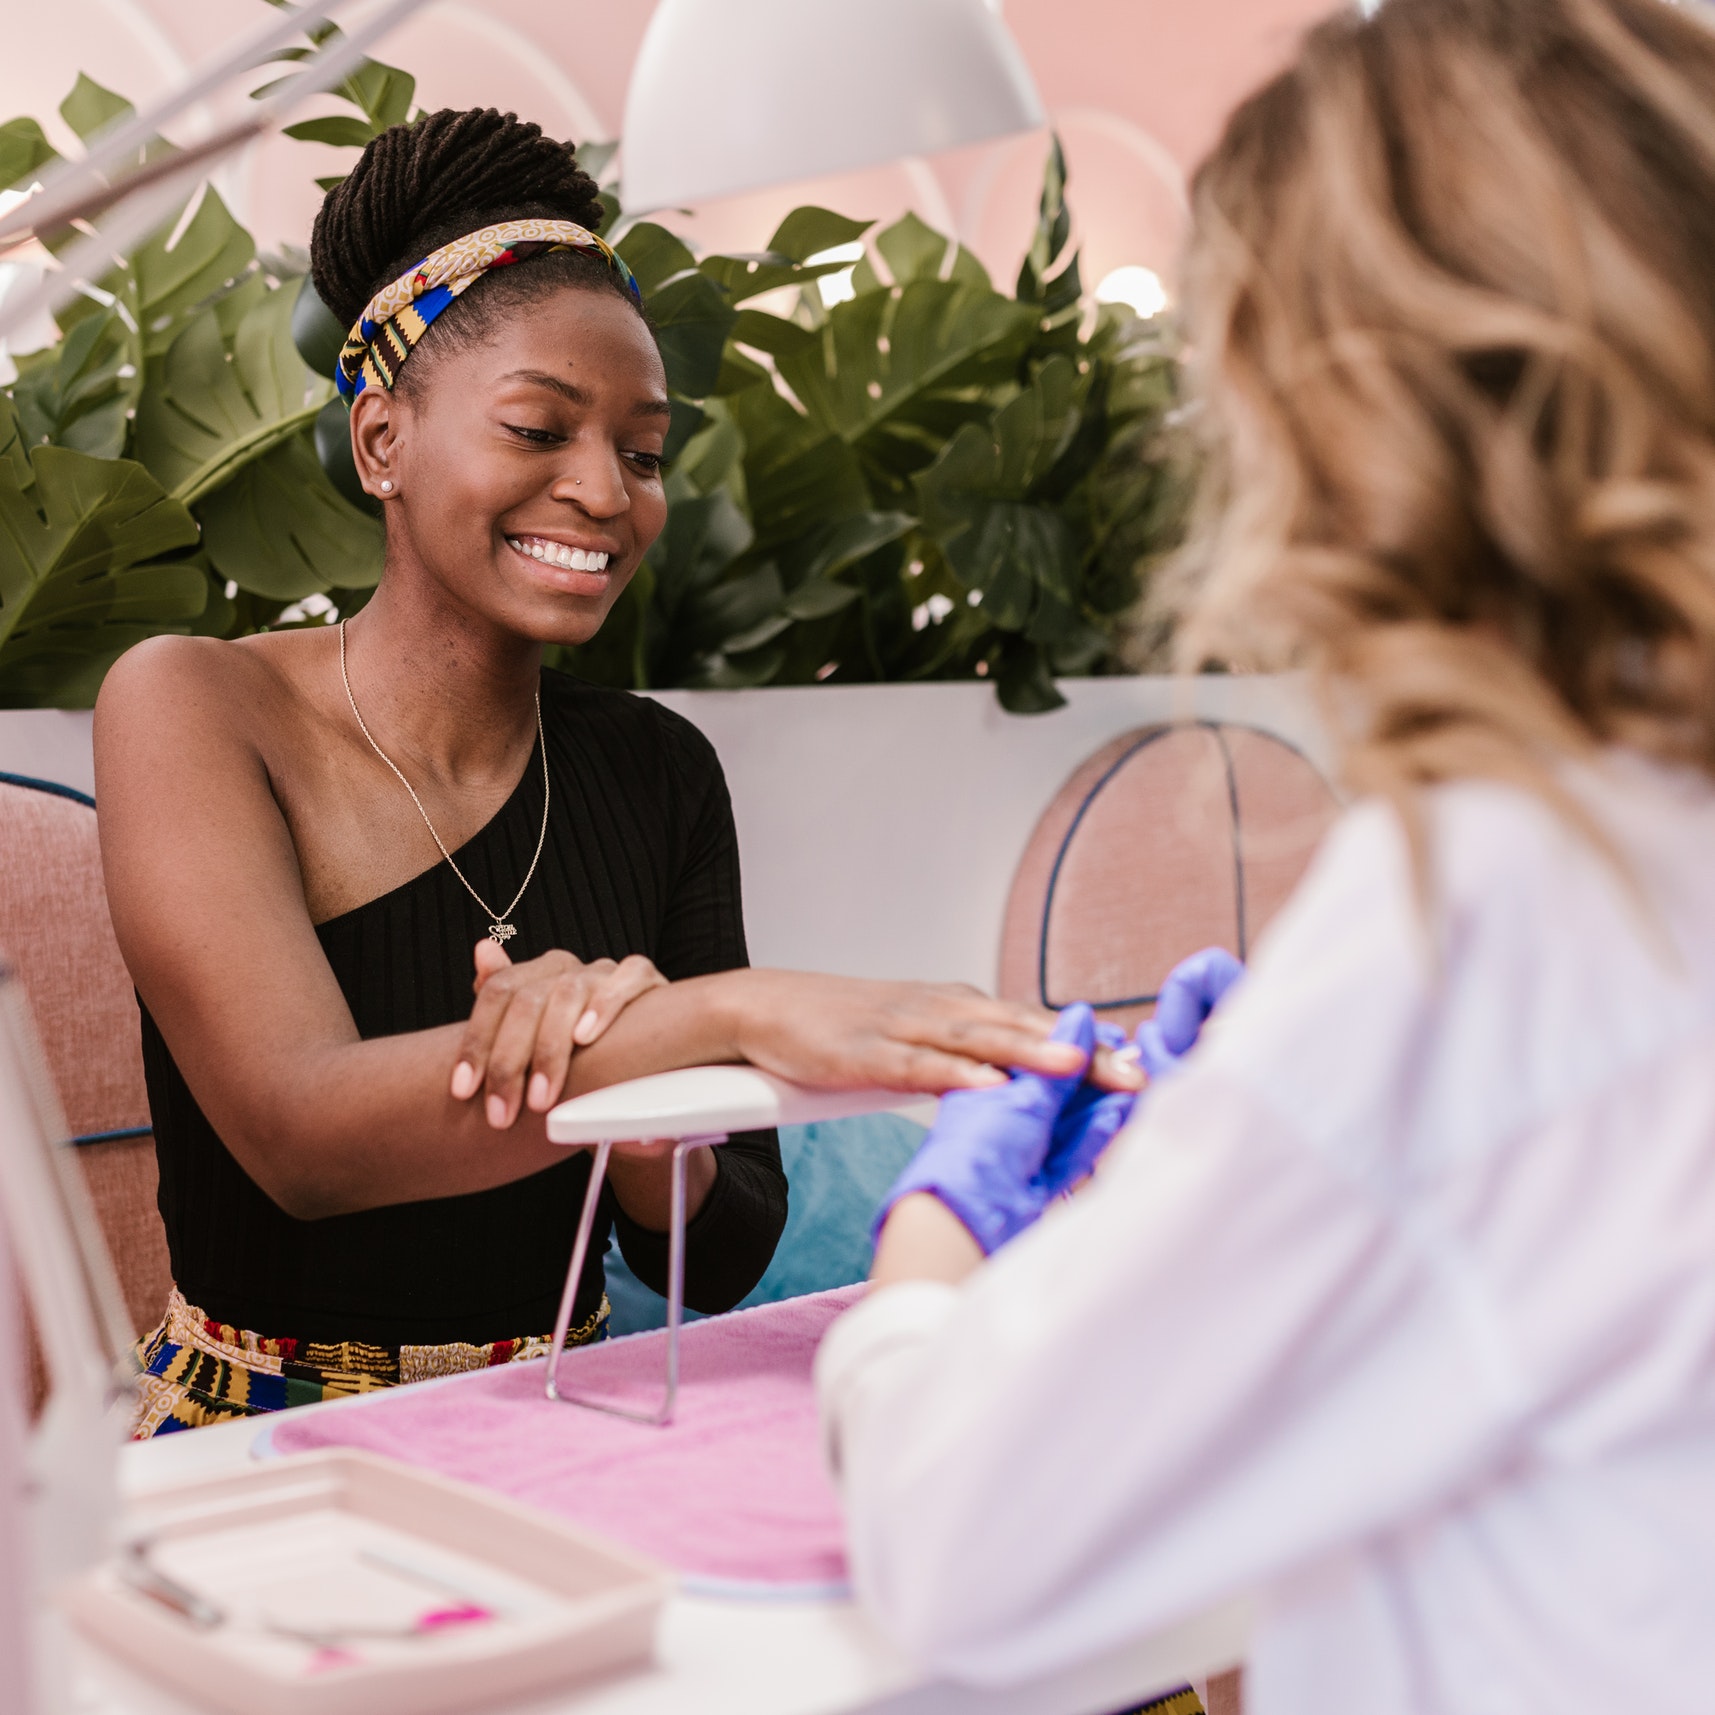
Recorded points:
(400, 315)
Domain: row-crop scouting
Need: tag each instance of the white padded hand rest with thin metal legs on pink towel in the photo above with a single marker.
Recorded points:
(697, 1107)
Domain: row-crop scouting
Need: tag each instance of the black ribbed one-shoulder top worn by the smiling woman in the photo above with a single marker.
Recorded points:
(641, 857)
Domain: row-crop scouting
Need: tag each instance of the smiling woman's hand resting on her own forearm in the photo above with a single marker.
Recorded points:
(533, 1018)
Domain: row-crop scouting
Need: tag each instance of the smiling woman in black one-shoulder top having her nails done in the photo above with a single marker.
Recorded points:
(390, 891)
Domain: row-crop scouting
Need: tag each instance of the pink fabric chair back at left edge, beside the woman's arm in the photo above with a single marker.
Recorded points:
(57, 936)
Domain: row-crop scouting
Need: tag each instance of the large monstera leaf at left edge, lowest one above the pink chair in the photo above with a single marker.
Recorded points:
(83, 570)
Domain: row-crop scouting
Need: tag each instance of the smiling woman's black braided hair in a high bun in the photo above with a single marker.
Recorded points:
(421, 186)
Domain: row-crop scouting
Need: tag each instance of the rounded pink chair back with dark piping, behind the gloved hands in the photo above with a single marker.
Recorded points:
(1169, 839)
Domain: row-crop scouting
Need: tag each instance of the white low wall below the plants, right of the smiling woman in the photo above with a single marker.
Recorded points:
(881, 826)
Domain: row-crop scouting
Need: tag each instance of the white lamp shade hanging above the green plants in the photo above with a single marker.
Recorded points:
(733, 95)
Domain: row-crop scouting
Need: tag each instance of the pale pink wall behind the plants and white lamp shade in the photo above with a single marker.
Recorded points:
(1138, 90)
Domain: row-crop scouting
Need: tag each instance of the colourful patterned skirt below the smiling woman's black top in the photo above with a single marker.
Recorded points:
(195, 1371)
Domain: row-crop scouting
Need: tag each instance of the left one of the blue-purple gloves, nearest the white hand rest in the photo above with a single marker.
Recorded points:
(992, 1155)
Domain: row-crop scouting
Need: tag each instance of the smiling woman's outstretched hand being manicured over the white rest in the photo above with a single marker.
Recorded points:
(848, 1033)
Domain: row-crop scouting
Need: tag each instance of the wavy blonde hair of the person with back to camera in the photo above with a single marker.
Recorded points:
(1452, 306)
